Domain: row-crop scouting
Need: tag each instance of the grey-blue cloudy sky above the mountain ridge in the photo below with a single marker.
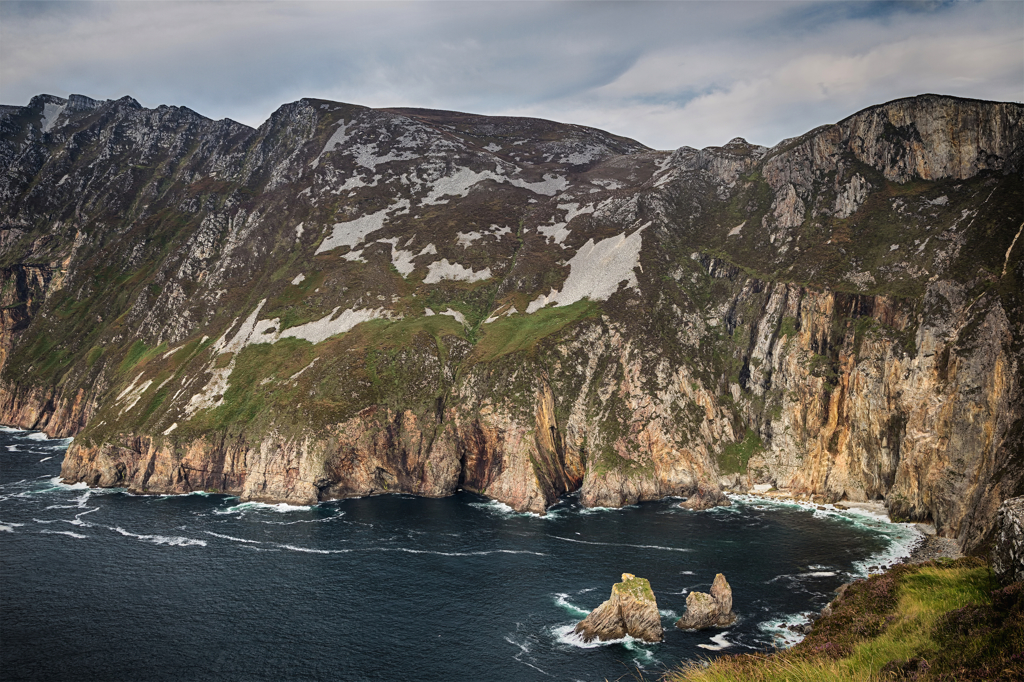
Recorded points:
(666, 74)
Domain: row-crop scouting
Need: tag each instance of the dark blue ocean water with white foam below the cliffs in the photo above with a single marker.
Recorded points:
(101, 585)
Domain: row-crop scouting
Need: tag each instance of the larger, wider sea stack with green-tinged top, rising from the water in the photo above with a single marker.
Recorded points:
(631, 611)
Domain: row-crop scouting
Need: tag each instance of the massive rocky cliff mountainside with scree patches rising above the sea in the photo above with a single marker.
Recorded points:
(351, 302)
